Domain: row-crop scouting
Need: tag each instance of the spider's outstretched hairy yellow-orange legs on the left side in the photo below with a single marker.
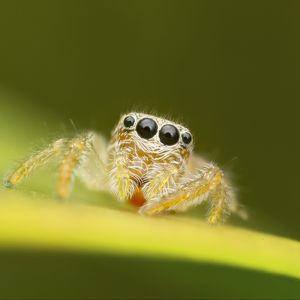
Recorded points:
(72, 154)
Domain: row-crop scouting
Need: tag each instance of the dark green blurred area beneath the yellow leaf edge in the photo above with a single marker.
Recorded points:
(80, 276)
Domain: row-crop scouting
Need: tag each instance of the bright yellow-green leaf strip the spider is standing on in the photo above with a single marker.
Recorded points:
(30, 223)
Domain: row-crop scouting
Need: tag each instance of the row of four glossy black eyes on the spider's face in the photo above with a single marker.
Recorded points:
(147, 128)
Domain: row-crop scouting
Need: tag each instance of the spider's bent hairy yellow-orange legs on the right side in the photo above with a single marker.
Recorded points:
(207, 183)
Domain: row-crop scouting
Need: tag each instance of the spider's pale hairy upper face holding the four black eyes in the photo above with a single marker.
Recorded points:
(153, 137)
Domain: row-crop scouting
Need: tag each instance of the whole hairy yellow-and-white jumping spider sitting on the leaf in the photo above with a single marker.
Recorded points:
(148, 162)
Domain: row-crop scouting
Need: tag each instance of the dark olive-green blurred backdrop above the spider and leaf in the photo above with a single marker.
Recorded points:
(228, 69)
